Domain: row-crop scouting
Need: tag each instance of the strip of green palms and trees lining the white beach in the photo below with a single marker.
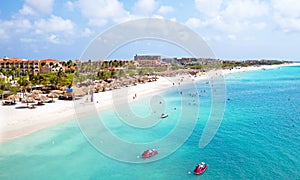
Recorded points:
(103, 70)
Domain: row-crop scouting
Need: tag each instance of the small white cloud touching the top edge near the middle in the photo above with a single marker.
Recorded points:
(145, 7)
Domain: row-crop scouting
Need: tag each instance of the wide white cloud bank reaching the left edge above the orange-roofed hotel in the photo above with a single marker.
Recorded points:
(54, 29)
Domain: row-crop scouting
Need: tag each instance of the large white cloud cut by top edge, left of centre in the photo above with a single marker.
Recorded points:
(99, 12)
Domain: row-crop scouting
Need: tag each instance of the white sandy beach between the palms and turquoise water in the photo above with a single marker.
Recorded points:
(22, 122)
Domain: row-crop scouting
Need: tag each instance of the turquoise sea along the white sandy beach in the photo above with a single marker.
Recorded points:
(259, 137)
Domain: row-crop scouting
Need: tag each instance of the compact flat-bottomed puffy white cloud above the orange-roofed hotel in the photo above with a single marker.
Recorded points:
(54, 24)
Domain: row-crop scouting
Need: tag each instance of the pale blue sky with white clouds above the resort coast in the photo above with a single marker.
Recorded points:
(233, 29)
